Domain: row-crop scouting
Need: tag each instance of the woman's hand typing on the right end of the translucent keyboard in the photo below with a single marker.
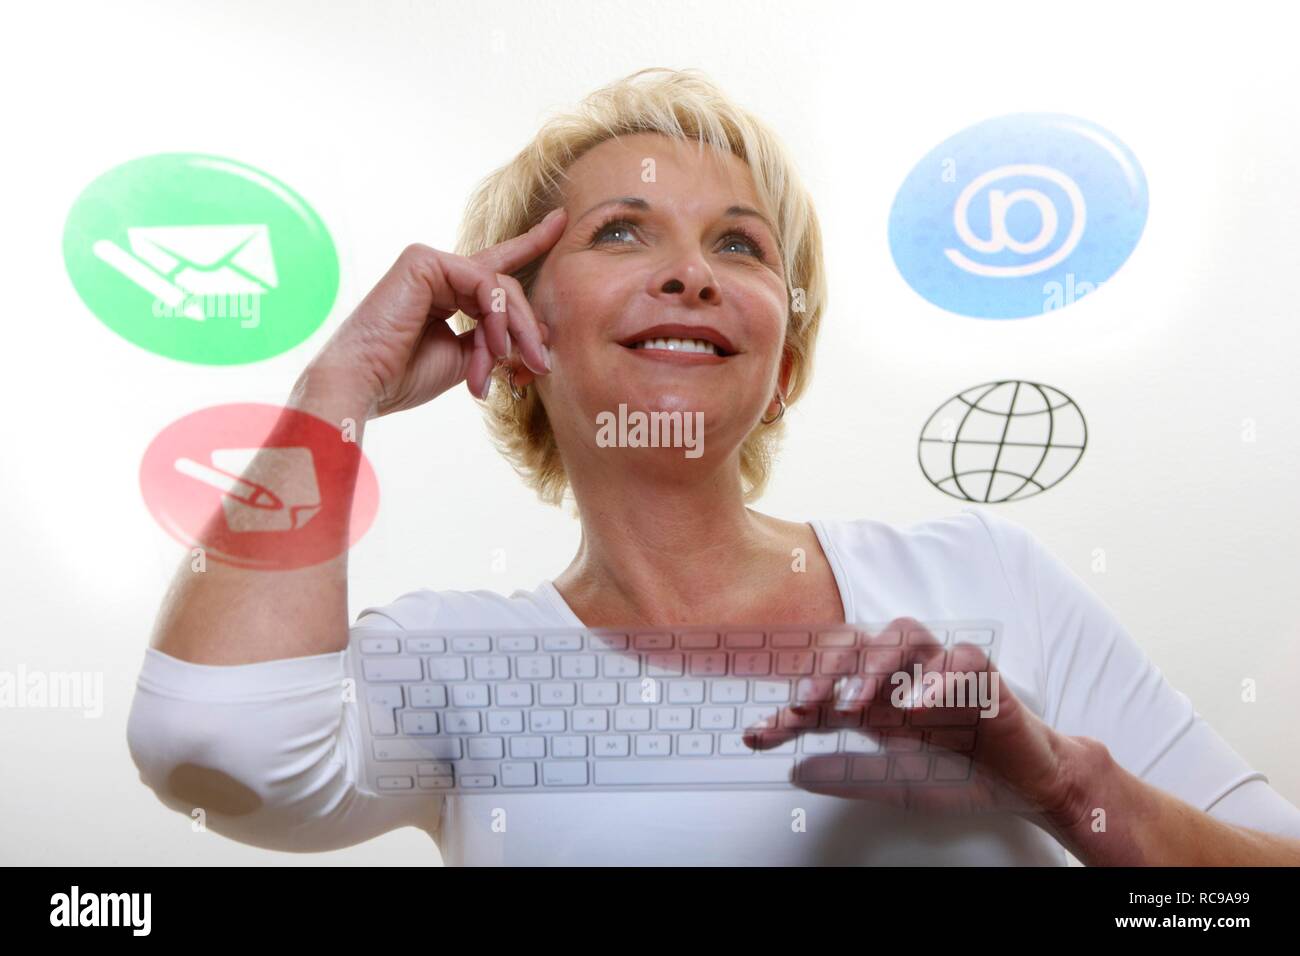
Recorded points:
(998, 755)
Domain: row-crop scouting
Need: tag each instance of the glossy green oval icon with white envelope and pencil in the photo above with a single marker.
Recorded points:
(201, 259)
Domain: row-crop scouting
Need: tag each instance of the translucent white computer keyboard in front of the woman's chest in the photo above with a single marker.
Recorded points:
(613, 710)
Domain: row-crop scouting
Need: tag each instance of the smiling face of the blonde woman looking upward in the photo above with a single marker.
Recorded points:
(682, 253)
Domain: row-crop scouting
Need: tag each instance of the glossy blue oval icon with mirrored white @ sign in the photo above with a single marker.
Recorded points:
(1019, 217)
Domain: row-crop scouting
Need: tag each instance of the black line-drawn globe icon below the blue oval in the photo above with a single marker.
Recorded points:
(1003, 442)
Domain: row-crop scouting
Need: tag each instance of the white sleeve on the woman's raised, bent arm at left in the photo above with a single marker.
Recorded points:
(270, 752)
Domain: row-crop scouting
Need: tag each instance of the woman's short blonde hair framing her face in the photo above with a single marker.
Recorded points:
(687, 106)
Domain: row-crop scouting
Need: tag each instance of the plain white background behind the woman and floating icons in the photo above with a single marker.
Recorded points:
(384, 115)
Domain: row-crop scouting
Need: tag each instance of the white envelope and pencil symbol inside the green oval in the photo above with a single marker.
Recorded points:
(175, 263)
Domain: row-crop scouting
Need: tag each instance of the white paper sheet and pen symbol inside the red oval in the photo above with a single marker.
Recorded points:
(266, 490)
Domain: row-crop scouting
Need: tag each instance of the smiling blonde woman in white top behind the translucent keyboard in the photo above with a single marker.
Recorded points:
(657, 250)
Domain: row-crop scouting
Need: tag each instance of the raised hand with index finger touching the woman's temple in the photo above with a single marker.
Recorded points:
(398, 352)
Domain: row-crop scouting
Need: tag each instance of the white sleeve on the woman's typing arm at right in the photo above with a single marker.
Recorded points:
(1100, 685)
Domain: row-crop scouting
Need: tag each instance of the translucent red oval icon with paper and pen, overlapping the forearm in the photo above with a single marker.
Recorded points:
(261, 486)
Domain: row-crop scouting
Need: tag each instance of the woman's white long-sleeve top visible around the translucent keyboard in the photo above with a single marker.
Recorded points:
(276, 752)
